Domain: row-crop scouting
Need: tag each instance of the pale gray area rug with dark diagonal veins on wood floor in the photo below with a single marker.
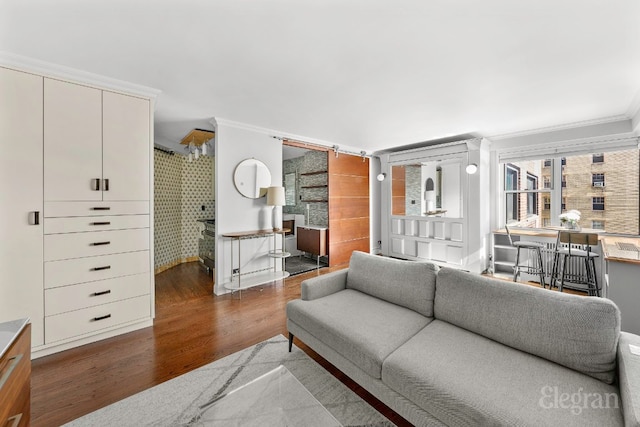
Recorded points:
(177, 402)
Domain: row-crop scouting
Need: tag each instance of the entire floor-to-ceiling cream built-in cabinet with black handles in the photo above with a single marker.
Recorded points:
(80, 156)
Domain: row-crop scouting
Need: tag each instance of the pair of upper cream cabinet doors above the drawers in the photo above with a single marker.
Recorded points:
(92, 144)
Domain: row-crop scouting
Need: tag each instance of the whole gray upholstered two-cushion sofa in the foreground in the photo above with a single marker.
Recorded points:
(447, 347)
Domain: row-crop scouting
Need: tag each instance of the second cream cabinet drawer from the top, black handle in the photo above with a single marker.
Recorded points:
(94, 223)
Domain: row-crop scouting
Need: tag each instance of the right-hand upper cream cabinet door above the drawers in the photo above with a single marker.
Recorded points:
(126, 147)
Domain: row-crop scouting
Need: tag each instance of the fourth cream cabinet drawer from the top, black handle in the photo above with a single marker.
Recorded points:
(80, 270)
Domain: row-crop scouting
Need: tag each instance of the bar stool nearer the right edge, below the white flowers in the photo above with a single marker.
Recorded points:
(576, 245)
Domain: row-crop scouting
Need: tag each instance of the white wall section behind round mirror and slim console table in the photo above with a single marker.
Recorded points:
(235, 213)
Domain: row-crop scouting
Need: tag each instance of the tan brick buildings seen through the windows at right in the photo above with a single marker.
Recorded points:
(603, 187)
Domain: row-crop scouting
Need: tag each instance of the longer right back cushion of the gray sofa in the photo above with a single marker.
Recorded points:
(578, 332)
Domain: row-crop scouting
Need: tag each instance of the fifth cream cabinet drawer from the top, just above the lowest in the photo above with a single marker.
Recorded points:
(84, 295)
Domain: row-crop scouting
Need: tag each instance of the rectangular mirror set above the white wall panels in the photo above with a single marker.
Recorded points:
(428, 187)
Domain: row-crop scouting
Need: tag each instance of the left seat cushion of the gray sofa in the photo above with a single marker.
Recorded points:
(362, 328)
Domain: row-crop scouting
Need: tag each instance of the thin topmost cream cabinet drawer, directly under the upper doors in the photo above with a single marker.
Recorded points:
(62, 209)
